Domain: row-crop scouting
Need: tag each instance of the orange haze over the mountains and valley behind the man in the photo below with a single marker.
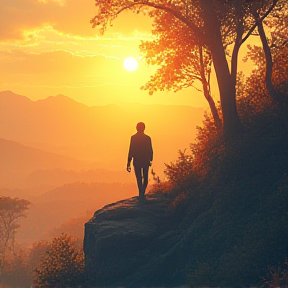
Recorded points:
(68, 158)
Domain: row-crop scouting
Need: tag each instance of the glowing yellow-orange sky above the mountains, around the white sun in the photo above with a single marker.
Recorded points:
(47, 47)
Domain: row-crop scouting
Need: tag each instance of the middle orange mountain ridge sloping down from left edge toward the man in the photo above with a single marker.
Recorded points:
(27, 167)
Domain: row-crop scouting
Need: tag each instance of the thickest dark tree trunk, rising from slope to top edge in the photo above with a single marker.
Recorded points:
(227, 91)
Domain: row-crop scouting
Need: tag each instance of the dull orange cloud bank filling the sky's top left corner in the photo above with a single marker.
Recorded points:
(71, 16)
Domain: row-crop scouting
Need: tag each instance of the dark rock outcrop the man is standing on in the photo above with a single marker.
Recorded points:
(123, 242)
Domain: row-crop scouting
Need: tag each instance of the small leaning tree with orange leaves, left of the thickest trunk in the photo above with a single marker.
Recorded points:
(182, 60)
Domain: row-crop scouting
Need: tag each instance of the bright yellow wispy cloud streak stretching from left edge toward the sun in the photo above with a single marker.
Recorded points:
(47, 39)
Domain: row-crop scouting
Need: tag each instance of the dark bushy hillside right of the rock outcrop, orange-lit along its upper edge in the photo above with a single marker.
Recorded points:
(234, 192)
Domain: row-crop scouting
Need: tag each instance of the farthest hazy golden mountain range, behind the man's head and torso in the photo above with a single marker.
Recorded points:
(98, 134)
